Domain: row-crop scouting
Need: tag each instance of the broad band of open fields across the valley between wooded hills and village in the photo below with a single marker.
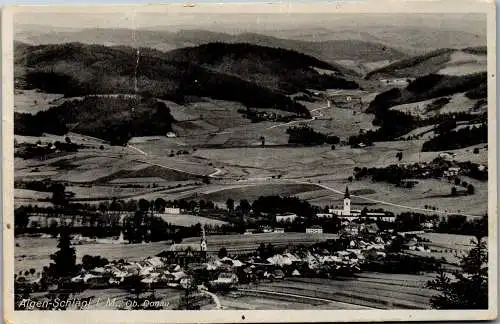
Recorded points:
(256, 165)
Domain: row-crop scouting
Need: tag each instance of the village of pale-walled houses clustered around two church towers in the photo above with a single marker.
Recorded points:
(206, 270)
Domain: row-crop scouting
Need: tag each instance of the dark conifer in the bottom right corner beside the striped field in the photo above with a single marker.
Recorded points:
(467, 288)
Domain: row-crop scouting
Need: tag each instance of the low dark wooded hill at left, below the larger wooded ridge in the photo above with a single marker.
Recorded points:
(114, 119)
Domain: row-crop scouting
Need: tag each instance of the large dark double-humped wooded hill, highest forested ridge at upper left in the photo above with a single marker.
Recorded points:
(256, 76)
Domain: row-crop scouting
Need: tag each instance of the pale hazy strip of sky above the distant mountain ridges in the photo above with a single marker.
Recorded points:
(228, 22)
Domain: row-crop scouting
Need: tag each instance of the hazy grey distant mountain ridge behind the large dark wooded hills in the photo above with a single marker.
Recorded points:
(329, 51)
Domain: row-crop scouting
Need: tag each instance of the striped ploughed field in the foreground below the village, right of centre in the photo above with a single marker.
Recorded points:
(367, 290)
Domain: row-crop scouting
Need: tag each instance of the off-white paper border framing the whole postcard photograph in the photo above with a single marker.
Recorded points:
(234, 316)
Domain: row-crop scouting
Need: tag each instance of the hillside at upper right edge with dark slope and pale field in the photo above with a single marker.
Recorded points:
(443, 61)
